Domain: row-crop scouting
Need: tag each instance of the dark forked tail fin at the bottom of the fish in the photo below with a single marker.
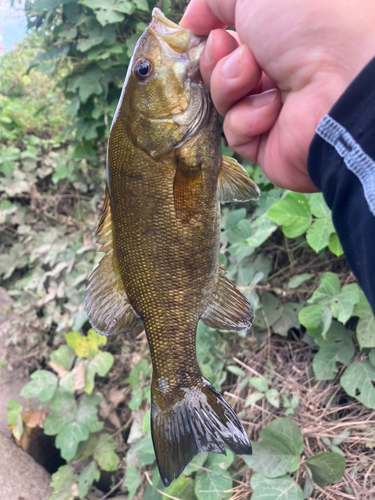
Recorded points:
(200, 420)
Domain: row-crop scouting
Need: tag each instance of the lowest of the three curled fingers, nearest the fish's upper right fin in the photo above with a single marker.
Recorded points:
(249, 119)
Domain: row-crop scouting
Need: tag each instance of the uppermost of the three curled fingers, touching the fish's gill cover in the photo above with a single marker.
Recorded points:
(219, 44)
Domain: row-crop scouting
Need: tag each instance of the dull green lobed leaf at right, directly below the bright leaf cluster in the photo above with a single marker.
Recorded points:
(337, 347)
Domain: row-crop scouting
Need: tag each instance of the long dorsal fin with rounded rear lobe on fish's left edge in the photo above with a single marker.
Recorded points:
(107, 304)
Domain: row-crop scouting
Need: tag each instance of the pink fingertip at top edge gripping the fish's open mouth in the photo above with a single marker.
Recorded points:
(202, 16)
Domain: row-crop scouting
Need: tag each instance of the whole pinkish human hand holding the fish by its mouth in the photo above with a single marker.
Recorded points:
(295, 60)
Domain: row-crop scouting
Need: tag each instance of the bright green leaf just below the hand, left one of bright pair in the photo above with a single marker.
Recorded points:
(293, 212)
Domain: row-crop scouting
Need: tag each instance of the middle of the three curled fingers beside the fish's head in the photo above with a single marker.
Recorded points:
(234, 77)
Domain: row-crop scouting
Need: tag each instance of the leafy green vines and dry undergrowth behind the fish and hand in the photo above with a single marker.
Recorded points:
(58, 94)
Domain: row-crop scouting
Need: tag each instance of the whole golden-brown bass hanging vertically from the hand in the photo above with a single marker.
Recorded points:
(160, 231)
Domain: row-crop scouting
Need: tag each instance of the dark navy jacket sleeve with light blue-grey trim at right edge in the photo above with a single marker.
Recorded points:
(341, 164)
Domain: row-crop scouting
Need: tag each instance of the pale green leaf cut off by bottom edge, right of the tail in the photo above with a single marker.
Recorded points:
(282, 488)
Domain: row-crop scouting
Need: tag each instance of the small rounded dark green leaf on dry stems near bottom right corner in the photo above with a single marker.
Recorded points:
(326, 468)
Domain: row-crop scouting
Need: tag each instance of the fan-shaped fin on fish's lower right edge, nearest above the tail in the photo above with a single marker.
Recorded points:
(229, 309)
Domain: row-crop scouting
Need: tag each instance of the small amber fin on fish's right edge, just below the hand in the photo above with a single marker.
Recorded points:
(234, 184)
